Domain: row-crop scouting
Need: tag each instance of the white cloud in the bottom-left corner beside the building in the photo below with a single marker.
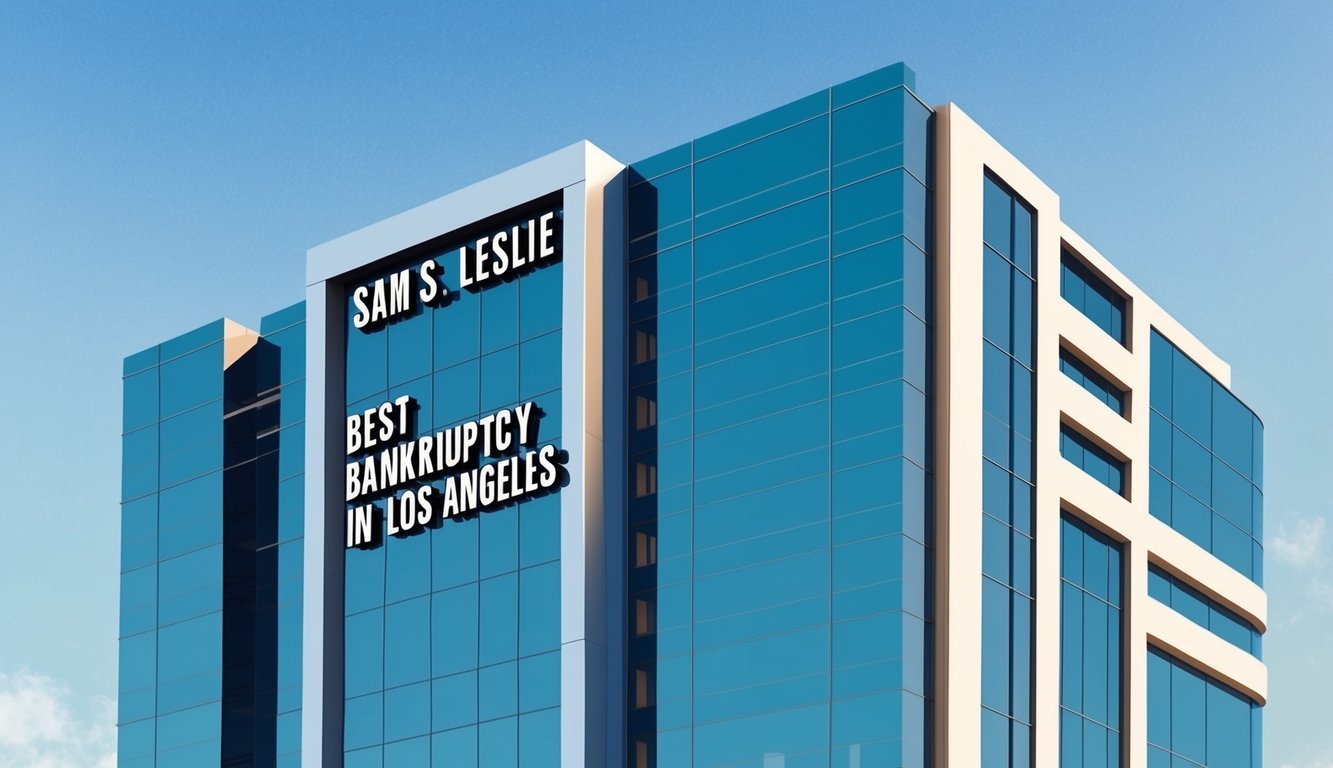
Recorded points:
(43, 725)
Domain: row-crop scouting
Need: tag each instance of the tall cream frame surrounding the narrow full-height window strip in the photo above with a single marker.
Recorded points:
(963, 155)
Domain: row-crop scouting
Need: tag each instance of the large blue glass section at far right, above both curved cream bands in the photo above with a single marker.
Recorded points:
(1207, 458)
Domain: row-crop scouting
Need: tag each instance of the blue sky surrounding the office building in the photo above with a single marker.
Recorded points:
(163, 165)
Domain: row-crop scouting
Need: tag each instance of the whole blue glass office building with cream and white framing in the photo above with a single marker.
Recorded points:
(815, 442)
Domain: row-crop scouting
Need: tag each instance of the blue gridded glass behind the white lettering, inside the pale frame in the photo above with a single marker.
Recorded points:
(453, 634)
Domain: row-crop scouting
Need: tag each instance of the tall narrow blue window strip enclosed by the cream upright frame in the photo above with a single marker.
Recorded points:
(1008, 475)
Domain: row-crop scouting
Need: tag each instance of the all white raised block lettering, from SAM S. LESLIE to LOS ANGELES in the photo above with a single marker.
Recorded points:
(465, 470)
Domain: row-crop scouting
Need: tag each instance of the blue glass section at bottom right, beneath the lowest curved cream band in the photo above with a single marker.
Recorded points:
(1198, 722)
